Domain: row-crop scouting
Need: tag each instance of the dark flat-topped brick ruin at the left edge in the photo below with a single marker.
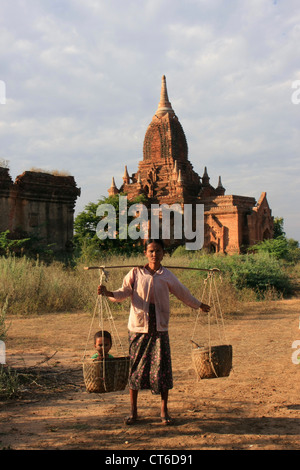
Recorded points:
(39, 204)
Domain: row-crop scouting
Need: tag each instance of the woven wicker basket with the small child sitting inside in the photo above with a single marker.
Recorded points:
(112, 378)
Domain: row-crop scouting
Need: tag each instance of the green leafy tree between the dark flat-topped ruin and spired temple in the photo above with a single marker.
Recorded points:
(87, 243)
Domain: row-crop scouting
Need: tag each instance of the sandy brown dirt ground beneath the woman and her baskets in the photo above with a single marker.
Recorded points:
(256, 407)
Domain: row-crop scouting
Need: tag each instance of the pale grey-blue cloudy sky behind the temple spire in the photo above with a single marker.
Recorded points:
(83, 82)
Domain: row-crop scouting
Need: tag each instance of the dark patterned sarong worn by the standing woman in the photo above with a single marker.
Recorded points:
(150, 358)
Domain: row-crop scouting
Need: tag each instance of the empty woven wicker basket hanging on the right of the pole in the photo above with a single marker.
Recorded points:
(212, 362)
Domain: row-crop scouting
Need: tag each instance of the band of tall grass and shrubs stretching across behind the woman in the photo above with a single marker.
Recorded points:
(33, 287)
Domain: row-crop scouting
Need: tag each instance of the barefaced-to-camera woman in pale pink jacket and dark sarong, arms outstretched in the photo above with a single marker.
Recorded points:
(150, 358)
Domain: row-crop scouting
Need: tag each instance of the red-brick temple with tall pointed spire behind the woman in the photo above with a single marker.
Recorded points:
(165, 175)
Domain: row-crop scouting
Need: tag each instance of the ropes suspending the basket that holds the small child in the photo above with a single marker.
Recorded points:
(102, 308)
